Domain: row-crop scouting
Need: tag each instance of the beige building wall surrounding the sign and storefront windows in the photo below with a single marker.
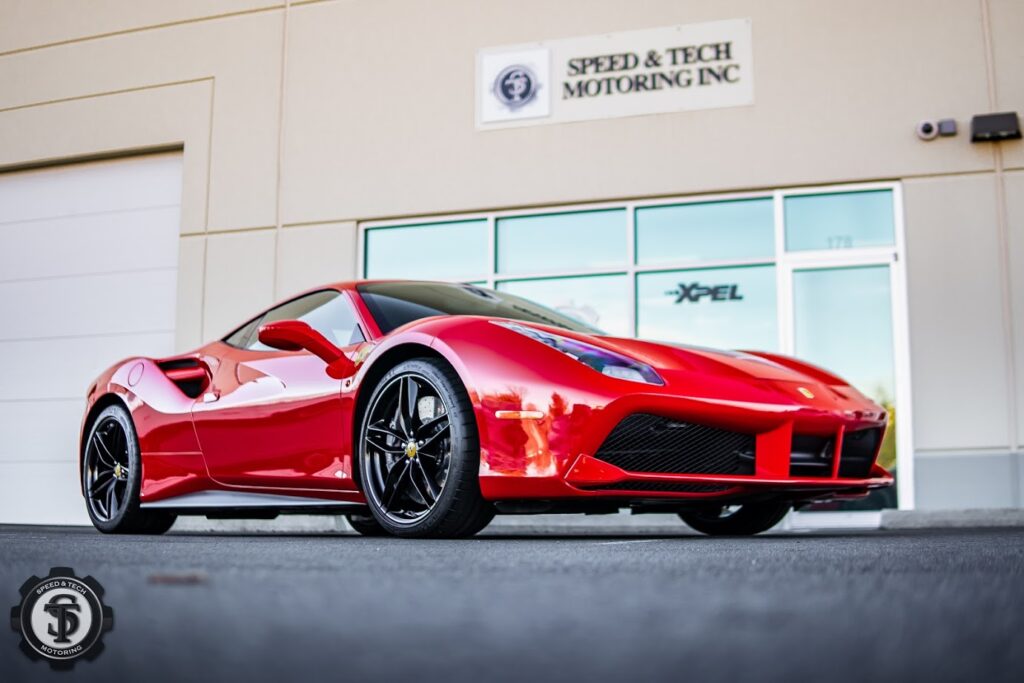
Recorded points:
(300, 120)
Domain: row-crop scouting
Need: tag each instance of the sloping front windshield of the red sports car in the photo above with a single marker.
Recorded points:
(395, 305)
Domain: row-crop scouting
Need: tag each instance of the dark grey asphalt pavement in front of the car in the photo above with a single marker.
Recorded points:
(897, 606)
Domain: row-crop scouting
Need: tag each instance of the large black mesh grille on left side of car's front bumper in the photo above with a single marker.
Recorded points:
(645, 443)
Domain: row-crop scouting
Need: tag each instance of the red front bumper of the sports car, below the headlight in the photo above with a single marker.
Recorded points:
(561, 455)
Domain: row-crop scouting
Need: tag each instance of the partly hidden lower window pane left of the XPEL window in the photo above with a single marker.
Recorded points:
(596, 301)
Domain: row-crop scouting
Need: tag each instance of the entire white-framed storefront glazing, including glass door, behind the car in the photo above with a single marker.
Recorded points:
(805, 274)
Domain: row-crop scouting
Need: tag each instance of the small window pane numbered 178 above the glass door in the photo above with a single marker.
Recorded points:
(839, 221)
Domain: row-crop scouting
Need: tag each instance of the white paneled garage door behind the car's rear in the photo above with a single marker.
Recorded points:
(89, 275)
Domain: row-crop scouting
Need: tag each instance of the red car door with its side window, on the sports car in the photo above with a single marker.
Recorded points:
(275, 419)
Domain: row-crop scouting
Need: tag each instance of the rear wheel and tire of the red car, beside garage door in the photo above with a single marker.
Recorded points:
(112, 478)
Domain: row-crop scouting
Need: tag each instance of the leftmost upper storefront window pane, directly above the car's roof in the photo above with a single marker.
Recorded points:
(457, 250)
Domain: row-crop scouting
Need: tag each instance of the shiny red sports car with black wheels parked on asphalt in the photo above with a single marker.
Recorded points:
(423, 409)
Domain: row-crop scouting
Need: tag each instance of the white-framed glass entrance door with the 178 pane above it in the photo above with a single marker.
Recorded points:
(841, 295)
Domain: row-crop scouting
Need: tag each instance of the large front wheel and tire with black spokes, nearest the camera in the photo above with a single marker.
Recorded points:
(420, 454)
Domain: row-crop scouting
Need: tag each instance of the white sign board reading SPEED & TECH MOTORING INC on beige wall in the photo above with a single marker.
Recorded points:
(654, 71)
